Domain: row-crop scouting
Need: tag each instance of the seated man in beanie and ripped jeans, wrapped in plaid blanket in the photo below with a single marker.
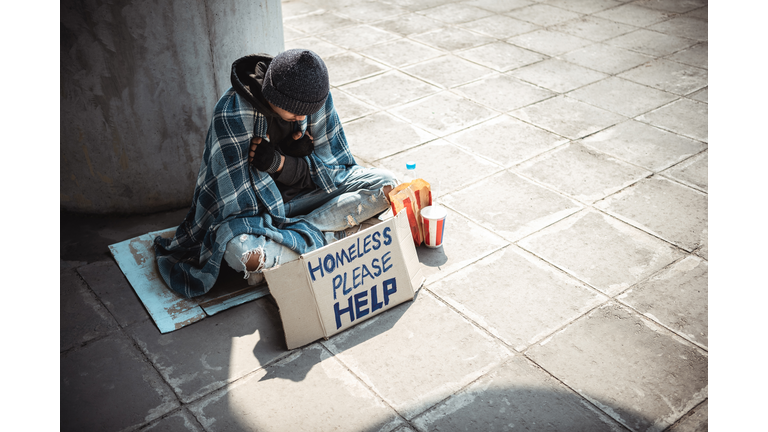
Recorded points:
(277, 177)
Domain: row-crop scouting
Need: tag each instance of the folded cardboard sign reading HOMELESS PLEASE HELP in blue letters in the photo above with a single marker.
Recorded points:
(335, 287)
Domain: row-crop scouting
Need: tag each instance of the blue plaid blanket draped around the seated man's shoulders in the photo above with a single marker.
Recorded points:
(231, 198)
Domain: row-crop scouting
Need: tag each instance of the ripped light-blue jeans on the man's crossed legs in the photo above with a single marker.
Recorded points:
(360, 197)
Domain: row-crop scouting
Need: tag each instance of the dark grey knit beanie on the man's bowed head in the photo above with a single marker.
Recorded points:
(296, 81)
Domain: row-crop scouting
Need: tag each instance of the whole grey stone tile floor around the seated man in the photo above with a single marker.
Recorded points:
(569, 139)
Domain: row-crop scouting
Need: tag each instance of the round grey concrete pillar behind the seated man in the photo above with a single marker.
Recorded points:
(139, 80)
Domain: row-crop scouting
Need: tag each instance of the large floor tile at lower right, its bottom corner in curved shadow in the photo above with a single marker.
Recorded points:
(638, 373)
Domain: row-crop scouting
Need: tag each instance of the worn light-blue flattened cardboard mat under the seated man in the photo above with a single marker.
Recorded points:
(170, 311)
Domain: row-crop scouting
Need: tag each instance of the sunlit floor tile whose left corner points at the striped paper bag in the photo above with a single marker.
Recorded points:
(511, 215)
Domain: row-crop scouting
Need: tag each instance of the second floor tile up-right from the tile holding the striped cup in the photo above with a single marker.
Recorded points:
(581, 172)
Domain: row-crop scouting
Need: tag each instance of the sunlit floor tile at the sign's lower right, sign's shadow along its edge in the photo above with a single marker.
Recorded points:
(416, 354)
